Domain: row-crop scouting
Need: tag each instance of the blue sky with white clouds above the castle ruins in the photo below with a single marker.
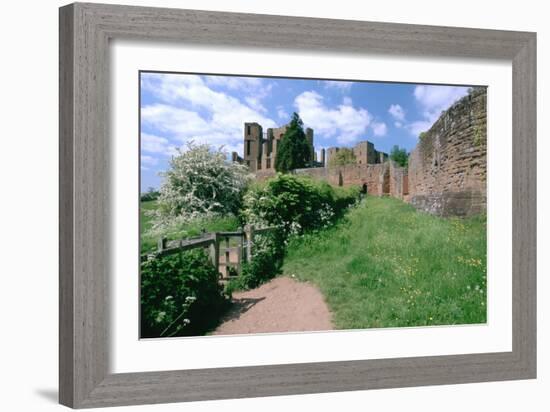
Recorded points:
(177, 108)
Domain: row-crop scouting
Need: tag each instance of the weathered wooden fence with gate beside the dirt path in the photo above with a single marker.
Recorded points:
(226, 249)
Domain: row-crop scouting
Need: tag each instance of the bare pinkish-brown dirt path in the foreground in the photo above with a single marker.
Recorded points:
(281, 305)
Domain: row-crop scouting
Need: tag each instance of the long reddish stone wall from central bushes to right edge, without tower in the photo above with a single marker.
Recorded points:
(447, 170)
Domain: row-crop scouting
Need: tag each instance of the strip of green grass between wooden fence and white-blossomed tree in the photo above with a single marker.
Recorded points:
(149, 243)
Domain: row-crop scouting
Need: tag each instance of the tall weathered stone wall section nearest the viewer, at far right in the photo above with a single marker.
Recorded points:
(448, 168)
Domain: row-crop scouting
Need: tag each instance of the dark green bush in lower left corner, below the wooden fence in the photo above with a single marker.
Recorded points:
(180, 295)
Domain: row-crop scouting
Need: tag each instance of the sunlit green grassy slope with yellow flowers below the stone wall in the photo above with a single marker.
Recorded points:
(388, 265)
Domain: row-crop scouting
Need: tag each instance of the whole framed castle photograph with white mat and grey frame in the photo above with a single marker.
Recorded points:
(256, 205)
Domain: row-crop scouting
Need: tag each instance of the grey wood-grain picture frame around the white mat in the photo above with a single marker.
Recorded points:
(85, 32)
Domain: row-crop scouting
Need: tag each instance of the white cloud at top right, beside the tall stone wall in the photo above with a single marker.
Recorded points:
(435, 99)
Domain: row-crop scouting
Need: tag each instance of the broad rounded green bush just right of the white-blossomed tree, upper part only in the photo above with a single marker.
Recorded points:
(295, 203)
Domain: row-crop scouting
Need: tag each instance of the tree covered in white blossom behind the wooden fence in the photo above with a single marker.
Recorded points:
(199, 184)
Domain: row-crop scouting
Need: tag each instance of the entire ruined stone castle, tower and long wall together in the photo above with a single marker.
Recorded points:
(446, 174)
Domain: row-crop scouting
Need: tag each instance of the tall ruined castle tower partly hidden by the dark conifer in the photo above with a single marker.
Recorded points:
(260, 149)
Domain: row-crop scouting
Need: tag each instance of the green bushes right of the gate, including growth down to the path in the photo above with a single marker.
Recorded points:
(294, 204)
